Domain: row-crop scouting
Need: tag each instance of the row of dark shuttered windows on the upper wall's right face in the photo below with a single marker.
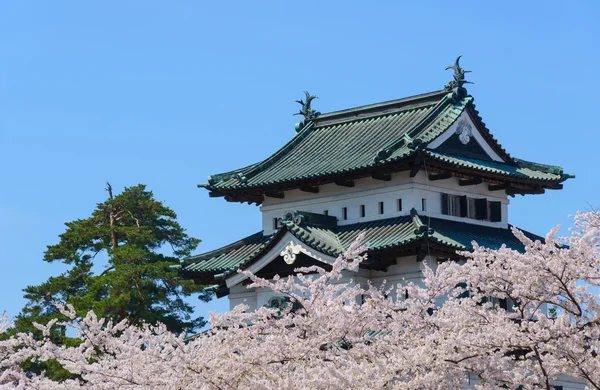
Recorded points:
(473, 208)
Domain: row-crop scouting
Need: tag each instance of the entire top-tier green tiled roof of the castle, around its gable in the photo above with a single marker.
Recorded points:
(361, 140)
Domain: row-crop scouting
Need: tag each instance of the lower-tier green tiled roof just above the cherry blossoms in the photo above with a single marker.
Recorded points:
(380, 235)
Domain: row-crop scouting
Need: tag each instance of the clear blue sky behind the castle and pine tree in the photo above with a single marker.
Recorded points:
(167, 93)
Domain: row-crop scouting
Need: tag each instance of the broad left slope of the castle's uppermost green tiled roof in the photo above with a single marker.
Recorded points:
(330, 147)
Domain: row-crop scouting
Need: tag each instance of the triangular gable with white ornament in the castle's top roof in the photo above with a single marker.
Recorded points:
(463, 138)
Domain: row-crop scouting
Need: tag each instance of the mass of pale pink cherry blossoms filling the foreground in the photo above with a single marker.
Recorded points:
(498, 319)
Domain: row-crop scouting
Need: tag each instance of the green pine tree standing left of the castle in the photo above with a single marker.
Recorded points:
(137, 239)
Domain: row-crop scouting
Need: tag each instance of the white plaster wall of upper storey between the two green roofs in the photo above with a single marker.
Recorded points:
(370, 192)
